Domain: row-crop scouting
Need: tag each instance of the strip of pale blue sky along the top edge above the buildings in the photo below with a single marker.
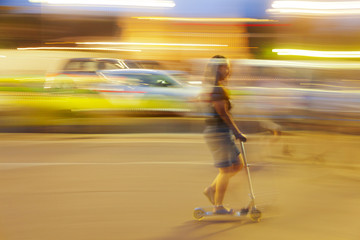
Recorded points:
(183, 8)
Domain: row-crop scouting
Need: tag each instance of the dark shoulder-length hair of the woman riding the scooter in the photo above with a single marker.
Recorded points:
(212, 75)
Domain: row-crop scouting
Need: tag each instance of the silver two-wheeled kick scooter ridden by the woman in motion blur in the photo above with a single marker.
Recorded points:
(250, 210)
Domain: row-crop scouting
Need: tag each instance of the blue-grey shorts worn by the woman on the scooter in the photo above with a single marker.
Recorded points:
(222, 146)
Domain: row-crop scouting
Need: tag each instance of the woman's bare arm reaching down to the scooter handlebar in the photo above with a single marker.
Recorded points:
(221, 108)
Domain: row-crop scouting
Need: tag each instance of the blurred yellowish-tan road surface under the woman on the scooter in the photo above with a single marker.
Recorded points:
(92, 187)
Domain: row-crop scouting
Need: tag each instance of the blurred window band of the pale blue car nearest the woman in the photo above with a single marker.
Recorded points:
(143, 79)
